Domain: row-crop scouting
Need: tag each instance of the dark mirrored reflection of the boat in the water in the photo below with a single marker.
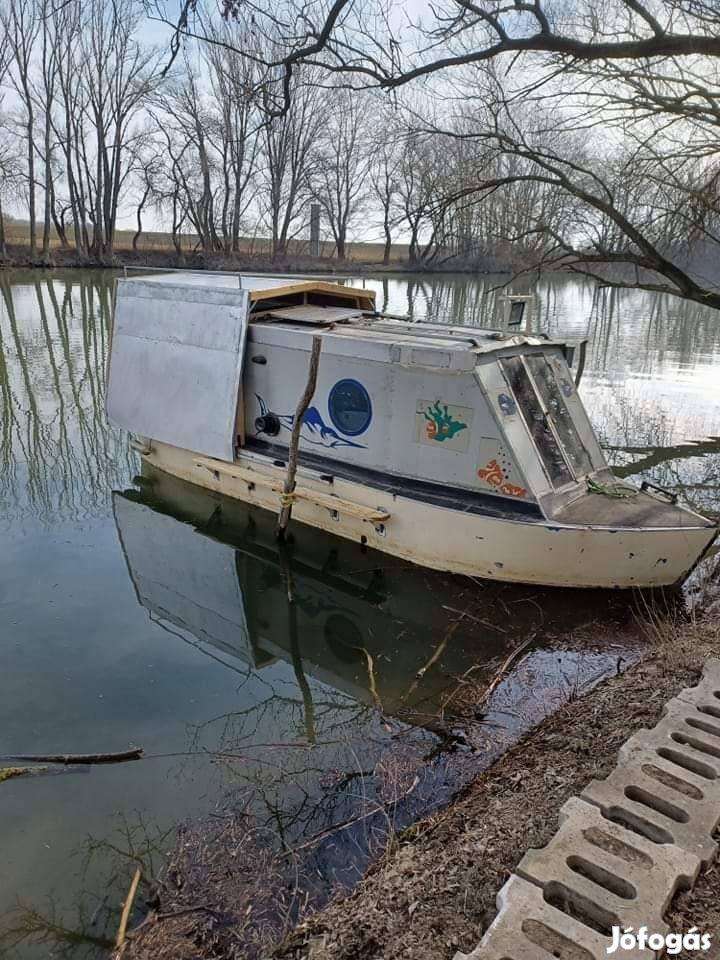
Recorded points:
(380, 630)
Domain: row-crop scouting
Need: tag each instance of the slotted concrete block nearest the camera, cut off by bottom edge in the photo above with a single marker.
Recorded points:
(529, 928)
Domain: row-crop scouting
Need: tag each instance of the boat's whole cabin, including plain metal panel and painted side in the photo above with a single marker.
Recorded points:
(216, 364)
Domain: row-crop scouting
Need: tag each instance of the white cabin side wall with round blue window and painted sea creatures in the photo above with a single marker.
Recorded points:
(406, 421)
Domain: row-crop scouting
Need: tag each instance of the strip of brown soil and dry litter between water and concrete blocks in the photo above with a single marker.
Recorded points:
(435, 892)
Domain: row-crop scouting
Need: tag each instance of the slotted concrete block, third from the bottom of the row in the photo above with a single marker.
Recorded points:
(667, 780)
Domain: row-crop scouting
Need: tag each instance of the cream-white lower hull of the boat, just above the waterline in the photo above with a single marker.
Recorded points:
(515, 550)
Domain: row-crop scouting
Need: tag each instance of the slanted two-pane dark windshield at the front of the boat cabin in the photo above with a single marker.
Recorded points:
(548, 418)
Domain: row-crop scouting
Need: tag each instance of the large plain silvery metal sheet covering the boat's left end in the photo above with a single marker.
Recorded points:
(176, 364)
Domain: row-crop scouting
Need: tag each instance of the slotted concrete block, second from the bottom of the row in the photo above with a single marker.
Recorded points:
(607, 873)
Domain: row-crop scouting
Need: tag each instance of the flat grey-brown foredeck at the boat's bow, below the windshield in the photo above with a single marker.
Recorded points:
(643, 510)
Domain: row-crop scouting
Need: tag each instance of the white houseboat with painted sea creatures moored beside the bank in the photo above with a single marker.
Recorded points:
(457, 448)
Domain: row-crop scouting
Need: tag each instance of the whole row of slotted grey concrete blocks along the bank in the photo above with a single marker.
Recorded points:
(624, 847)
